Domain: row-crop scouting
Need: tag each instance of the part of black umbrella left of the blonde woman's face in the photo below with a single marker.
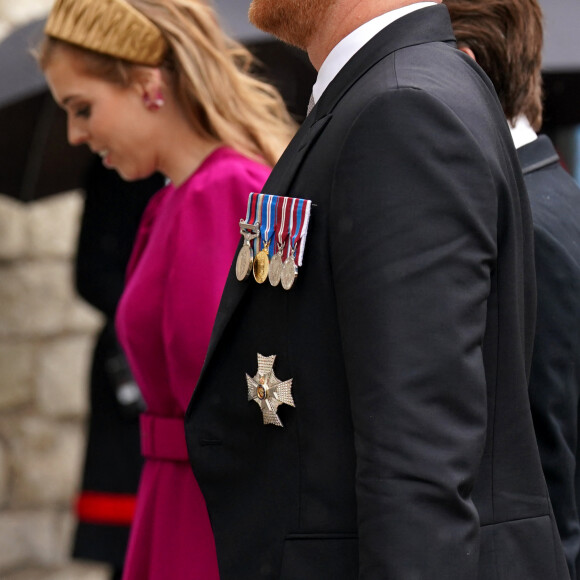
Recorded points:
(36, 159)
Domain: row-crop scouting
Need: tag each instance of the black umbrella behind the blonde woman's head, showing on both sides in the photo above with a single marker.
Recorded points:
(36, 159)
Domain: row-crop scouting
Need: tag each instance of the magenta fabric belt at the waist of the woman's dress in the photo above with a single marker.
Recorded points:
(163, 438)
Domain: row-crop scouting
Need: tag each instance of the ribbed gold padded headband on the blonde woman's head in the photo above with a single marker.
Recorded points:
(110, 27)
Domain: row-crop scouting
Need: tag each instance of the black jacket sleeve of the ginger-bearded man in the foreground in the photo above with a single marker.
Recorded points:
(411, 291)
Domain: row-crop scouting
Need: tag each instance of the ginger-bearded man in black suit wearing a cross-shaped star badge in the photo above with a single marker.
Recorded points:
(407, 448)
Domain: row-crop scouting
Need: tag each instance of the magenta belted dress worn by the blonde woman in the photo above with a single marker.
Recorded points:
(182, 255)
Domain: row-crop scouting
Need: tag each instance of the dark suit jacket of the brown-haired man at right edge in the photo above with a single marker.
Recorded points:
(555, 378)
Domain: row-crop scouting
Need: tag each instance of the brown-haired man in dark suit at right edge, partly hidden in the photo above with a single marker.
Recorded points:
(505, 37)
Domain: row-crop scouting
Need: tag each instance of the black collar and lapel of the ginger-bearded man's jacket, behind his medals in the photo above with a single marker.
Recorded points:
(426, 25)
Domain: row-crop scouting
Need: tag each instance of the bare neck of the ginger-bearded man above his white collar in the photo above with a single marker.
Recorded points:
(343, 17)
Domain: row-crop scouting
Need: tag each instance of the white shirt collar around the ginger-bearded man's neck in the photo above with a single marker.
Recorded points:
(352, 43)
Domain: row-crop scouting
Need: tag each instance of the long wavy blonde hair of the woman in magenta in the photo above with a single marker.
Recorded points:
(210, 75)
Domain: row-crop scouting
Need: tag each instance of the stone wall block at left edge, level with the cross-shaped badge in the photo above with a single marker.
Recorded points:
(16, 372)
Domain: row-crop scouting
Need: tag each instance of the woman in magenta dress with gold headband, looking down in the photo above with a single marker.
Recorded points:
(157, 86)
